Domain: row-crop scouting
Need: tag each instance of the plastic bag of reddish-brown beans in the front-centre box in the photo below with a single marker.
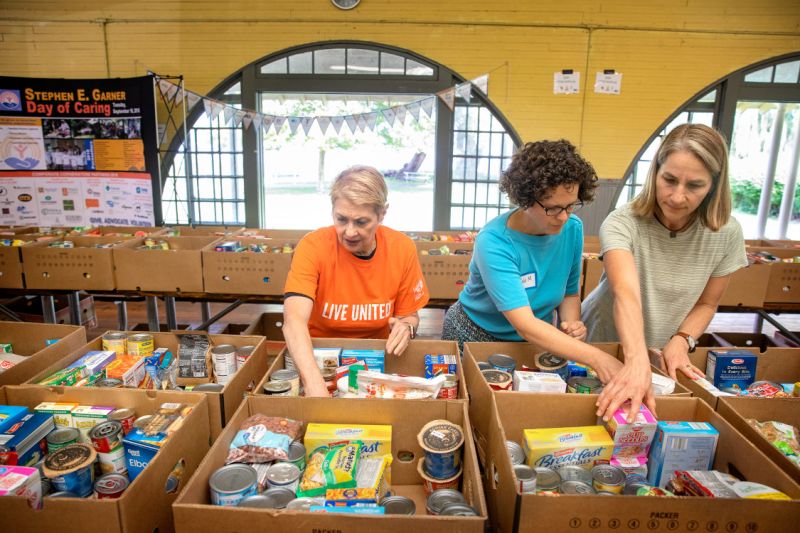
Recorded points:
(262, 438)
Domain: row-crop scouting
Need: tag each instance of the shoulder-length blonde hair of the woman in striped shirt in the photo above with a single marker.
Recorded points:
(709, 146)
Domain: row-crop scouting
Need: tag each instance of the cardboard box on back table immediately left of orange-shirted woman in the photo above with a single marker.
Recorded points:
(245, 272)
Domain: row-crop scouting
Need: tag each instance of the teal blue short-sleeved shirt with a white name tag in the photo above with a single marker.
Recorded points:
(510, 269)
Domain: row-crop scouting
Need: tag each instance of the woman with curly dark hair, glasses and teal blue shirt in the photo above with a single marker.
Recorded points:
(525, 270)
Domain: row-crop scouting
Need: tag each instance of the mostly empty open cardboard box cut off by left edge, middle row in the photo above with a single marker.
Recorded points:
(29, 340)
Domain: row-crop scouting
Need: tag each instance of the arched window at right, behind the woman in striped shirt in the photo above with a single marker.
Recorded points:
(758, 110)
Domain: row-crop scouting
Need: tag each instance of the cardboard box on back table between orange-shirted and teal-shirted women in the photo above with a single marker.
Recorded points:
(445, 275)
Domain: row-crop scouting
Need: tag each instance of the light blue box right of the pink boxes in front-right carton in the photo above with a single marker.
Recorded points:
(681, 446)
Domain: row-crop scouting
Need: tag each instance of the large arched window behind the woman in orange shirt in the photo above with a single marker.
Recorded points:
(442, 166)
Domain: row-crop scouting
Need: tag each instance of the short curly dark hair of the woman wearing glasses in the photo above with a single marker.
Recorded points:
(539, 167)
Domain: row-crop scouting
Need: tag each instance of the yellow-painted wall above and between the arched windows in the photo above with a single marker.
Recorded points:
(666, 50)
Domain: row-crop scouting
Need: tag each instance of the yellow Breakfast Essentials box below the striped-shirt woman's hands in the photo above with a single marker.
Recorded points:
(557, 447)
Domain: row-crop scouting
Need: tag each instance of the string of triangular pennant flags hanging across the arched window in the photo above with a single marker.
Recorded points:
(173, 94)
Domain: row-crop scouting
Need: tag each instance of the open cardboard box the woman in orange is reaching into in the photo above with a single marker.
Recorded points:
(411, 363)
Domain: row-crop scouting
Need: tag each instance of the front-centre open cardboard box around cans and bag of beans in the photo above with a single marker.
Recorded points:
(195, 514)
